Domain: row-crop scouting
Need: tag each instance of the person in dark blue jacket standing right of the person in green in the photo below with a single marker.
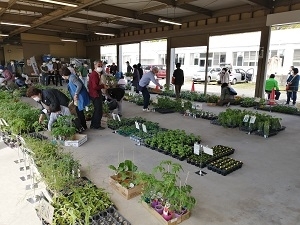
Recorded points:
(293, 86)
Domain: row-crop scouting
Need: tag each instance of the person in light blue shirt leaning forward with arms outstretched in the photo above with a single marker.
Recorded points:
(143, 84)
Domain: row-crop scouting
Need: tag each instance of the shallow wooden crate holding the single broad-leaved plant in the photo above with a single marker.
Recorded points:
(126, 193)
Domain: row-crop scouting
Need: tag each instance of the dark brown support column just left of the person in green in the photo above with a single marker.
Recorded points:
(262, 61)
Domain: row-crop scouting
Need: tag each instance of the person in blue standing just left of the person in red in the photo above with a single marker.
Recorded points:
(78, 93)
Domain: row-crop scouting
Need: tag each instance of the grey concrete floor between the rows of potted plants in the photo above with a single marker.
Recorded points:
(265, 191)
